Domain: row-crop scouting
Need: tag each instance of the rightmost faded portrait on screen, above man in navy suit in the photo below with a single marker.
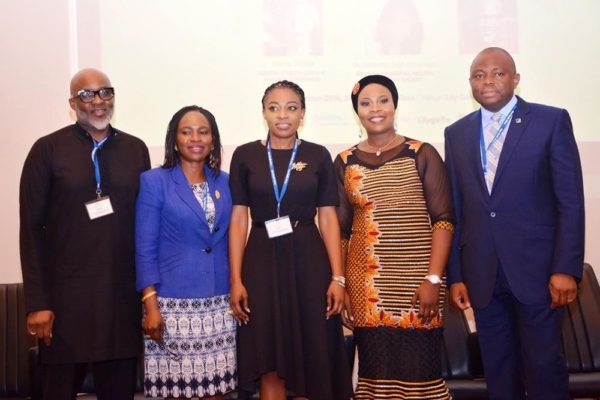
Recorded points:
(483, 24)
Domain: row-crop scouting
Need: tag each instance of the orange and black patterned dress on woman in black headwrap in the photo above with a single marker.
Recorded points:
(389, 208)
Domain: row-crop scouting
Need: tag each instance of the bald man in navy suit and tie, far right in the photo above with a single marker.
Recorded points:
(519, 242)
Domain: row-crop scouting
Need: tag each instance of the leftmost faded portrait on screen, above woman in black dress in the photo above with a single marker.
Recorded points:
(292, 28)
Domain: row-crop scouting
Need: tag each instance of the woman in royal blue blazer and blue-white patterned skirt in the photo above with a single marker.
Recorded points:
(182, 221)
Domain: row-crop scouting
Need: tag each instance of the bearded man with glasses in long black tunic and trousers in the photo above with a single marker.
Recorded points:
(77, 197)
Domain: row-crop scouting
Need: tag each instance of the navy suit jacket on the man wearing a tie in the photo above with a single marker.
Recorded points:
(532, 223)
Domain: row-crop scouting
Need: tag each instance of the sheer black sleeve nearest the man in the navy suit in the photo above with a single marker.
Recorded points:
(436, 187)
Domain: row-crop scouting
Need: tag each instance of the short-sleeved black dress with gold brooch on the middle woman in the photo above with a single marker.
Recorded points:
(287, 277)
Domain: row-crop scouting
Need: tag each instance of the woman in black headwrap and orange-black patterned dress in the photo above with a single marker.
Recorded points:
(397, 225)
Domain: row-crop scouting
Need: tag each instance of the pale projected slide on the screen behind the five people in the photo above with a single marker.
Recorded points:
(221, 55)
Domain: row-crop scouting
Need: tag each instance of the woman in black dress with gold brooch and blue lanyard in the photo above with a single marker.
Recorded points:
(287, 285)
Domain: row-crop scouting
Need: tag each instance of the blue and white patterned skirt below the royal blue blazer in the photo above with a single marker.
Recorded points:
(198, 356)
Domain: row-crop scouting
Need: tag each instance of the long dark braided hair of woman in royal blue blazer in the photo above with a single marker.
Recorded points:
(172, 156)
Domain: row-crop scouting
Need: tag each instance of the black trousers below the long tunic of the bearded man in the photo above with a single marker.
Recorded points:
(113, 380)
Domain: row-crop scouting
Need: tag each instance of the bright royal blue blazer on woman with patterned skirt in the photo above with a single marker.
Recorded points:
(175, 249)
